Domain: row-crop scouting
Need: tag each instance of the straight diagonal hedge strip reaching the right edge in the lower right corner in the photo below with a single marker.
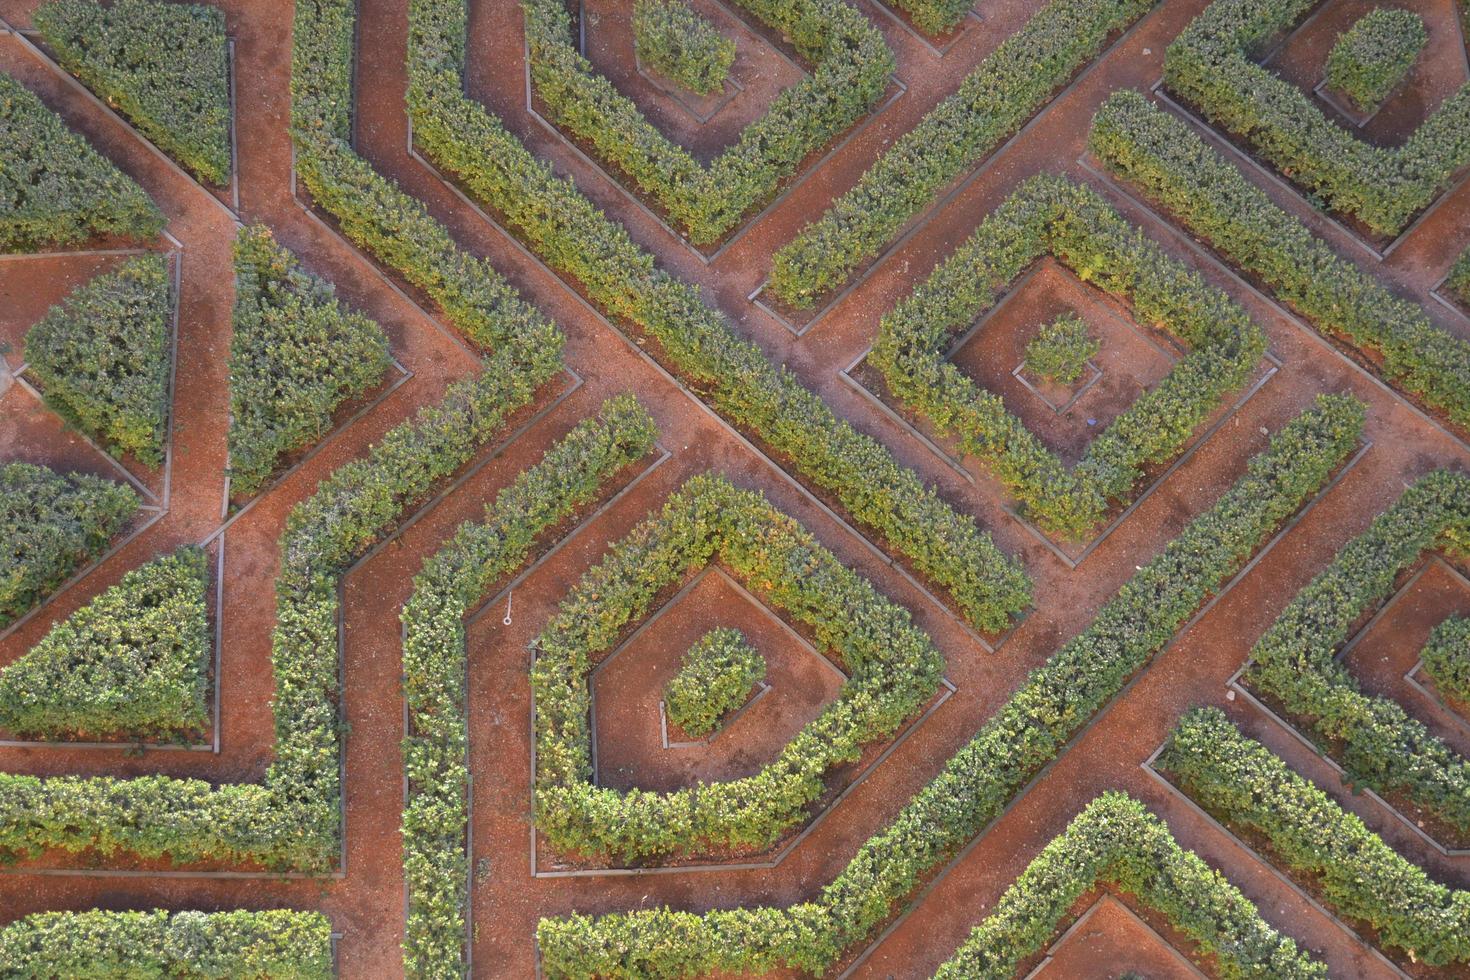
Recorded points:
(1243, 784)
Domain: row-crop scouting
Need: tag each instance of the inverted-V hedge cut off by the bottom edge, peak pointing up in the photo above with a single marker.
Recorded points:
(1118, 841)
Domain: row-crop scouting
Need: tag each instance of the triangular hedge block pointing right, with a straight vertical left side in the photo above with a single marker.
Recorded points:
(295, 358)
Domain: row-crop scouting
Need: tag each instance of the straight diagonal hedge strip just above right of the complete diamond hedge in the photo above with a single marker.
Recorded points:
(1212, 199)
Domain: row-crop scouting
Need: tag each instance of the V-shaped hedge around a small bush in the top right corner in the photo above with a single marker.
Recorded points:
(1211, 68)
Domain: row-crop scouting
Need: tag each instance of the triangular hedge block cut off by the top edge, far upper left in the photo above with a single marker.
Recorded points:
(164, 65)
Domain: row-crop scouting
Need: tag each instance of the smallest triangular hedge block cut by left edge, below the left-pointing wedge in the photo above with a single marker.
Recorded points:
(52, 525)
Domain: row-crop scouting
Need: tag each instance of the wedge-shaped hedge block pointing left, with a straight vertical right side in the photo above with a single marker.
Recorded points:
(102, 358)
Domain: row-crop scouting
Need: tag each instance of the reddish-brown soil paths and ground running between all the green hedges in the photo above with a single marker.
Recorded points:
(367, 901)
